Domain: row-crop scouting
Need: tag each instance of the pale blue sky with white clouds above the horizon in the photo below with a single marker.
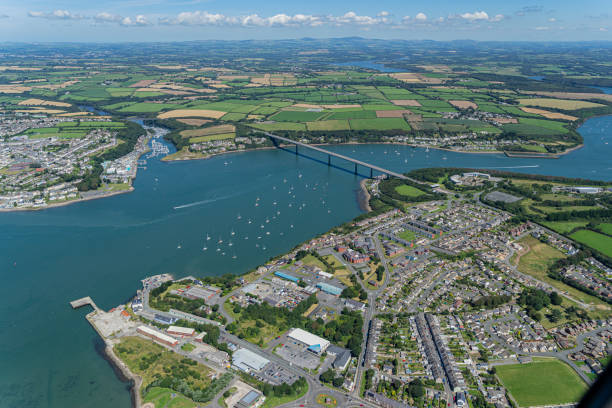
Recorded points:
(181, 20)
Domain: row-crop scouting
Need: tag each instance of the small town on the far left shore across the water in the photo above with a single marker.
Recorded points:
(50, 160)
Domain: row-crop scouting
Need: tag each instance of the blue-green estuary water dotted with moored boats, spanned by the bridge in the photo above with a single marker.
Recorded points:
(259, 204)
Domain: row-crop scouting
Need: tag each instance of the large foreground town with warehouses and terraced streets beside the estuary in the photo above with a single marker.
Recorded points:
(429, 306)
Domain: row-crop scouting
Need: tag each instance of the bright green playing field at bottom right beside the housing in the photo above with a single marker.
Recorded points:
(542, 382)
